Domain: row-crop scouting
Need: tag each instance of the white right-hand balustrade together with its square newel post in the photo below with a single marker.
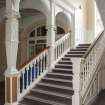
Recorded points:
(84, 70)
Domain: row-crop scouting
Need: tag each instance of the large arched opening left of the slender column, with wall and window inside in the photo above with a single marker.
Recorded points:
(32, 33)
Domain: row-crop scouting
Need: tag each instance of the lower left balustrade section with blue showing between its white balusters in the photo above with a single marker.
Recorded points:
(31, 71)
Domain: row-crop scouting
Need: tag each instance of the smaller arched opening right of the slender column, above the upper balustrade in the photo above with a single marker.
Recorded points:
(62, 24)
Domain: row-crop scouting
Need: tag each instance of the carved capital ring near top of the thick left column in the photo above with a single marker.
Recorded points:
(12, 14)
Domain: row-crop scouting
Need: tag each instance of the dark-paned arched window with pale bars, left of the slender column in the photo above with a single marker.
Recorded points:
(37, 40)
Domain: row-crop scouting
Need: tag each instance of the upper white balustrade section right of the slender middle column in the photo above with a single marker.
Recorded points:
(62, 46)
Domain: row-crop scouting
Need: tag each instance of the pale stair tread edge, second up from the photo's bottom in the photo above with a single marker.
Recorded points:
(51, 93)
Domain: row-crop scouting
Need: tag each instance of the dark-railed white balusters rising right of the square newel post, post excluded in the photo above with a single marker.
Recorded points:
(91, 61)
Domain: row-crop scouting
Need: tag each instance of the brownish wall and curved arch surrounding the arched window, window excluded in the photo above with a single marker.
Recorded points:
(30, 18)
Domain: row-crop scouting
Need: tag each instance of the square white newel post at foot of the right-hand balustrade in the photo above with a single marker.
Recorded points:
(76, 99)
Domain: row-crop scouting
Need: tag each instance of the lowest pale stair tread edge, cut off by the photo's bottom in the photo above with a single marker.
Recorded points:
(43, 100)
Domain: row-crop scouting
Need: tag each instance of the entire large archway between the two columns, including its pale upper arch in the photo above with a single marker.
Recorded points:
(33, 17)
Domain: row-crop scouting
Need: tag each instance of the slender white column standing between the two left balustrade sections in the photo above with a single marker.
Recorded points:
(51, 31)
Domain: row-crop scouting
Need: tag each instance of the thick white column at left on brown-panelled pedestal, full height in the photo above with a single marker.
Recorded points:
(11, 42)
